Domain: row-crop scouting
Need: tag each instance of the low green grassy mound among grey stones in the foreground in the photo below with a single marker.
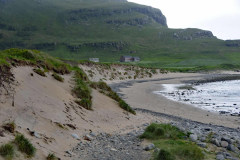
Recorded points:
(172, 143)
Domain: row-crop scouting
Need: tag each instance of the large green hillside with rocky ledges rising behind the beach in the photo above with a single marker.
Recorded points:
(80, 29)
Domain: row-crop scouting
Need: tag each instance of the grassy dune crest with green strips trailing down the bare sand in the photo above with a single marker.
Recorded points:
(43, 63)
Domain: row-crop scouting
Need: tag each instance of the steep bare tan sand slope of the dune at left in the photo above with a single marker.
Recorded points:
(41, 103)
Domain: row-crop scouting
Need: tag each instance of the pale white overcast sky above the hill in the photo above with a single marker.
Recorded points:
(222, 17)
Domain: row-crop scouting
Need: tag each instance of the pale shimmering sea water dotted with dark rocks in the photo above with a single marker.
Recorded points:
(222, 97)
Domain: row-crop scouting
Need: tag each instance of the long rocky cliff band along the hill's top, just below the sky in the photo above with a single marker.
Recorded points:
(84, 14)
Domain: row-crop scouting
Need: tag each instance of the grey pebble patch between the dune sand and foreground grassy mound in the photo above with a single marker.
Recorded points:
(105, 147)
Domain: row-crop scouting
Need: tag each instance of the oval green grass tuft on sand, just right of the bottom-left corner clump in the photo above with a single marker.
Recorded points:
(24, 145)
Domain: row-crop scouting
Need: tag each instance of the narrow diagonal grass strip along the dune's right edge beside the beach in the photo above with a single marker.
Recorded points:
(102, 87)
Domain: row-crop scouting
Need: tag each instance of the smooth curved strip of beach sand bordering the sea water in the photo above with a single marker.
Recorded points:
(139, 94)
